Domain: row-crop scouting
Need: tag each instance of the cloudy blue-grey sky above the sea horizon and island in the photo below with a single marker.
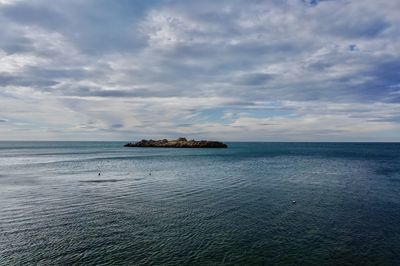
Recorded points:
(278, 70)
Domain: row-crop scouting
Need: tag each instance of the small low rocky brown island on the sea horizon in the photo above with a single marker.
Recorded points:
(179, 143)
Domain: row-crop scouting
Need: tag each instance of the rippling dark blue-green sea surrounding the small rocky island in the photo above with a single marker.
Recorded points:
(199, 206)
